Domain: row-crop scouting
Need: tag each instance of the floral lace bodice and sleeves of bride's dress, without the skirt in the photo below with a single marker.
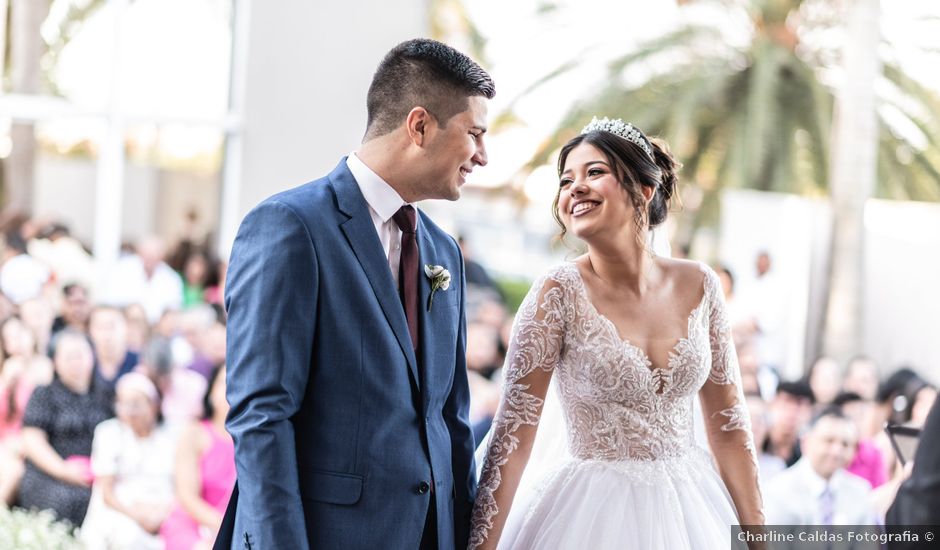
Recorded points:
(617, 406)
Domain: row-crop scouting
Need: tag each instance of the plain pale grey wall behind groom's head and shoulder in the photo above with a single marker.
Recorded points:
(309, 65)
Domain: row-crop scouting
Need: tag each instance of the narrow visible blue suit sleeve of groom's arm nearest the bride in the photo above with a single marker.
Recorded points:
(457, 417)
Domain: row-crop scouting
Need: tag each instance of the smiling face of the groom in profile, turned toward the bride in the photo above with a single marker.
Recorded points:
(454, 150)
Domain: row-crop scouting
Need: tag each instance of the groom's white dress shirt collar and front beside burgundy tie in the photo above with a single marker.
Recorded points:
(383, 202)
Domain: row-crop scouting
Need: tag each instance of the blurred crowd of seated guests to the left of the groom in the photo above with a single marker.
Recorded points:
(112, 388)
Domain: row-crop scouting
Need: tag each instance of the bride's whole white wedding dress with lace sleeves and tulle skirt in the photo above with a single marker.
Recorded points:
(634, 477)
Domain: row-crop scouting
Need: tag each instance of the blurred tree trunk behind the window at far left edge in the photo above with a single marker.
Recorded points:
(26, 48)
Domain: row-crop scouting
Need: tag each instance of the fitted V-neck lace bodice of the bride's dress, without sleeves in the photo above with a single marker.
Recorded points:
(616, 403)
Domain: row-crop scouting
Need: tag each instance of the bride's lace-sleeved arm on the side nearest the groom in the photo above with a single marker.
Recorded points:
(534, 350)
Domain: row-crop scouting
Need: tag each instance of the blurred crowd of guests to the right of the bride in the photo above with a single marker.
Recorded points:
(825, 457)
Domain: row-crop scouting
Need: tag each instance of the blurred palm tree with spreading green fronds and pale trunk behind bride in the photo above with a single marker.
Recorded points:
(758, 115)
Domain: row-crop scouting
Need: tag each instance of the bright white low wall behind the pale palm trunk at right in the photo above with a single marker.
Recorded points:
(902, 299)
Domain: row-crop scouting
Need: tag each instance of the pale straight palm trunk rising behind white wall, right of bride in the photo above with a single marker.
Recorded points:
(854, 165)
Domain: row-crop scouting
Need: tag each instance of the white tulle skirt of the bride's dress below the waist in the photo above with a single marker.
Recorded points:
(667, 504)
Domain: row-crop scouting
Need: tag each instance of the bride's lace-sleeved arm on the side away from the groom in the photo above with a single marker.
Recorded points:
(725, 410)
